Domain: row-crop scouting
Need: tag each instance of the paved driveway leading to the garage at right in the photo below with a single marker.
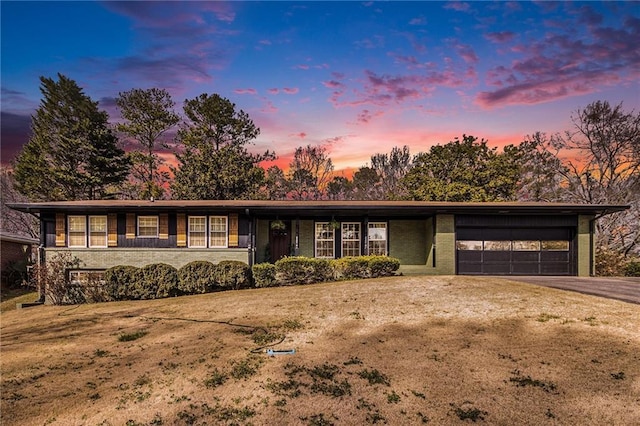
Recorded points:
(626, 289)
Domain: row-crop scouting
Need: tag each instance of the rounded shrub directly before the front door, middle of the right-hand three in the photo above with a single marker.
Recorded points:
(303, 270)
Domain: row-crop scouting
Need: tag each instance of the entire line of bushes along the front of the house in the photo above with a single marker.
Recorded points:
(161, 280)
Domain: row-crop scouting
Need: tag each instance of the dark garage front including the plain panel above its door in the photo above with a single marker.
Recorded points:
(516, 245)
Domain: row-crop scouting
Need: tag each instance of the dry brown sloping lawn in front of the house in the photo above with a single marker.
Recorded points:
(402, 350)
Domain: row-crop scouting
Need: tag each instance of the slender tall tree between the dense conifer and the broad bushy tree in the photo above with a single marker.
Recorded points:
(148, 114)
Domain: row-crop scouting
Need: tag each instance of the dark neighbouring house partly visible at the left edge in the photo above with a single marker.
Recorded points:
(16, 251)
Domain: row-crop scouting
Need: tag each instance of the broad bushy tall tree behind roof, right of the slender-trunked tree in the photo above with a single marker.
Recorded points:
(214, 163)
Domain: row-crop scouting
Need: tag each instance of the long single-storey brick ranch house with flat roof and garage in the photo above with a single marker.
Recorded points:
(427, 237)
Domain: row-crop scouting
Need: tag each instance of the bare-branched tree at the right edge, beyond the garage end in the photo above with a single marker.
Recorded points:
(603, 167)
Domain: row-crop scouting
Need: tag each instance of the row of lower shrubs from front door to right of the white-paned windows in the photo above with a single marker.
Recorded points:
(304, 270)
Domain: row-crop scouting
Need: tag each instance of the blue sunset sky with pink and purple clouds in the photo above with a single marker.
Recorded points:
(356, 77)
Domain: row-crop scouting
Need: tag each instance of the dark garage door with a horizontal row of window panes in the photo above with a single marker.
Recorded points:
(496, 251)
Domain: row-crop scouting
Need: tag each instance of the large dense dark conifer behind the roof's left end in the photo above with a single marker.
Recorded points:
(72, 154)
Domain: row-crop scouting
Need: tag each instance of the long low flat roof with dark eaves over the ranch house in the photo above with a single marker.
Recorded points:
(288, 207)
